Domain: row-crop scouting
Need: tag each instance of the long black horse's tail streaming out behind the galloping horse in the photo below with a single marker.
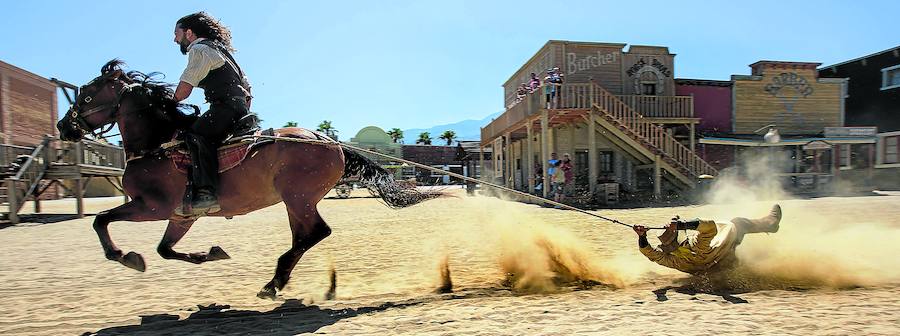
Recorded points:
(381, 183)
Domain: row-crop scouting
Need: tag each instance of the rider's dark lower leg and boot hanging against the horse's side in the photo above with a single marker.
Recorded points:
(204, 174)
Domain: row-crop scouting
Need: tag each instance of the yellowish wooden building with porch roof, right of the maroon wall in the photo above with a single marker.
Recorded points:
(813, 148)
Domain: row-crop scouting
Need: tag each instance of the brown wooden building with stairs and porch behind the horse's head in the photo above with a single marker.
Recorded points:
(33, 163)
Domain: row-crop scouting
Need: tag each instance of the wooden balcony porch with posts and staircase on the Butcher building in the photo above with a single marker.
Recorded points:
(627, 128)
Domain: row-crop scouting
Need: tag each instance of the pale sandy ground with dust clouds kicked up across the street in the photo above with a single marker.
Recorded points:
(831, 270)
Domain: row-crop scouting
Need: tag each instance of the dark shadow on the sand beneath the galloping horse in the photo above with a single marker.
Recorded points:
(291, 318)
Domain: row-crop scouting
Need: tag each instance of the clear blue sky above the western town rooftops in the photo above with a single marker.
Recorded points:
(414, 64)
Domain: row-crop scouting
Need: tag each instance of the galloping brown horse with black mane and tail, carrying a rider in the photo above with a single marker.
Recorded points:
(298, 174)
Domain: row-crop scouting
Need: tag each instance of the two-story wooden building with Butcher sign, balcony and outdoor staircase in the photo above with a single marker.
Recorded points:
(617, 114)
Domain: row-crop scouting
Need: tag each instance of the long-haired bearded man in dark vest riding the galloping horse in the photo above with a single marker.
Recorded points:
(207, 43)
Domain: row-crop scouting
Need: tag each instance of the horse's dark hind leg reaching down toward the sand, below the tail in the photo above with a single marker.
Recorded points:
(307, 229)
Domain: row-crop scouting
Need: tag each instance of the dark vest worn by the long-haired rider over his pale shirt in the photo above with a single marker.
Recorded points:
(225, 82)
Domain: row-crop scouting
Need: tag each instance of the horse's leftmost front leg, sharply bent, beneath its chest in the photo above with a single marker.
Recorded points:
(136, 210)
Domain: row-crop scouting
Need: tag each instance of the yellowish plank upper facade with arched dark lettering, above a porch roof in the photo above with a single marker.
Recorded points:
(793, 99)
